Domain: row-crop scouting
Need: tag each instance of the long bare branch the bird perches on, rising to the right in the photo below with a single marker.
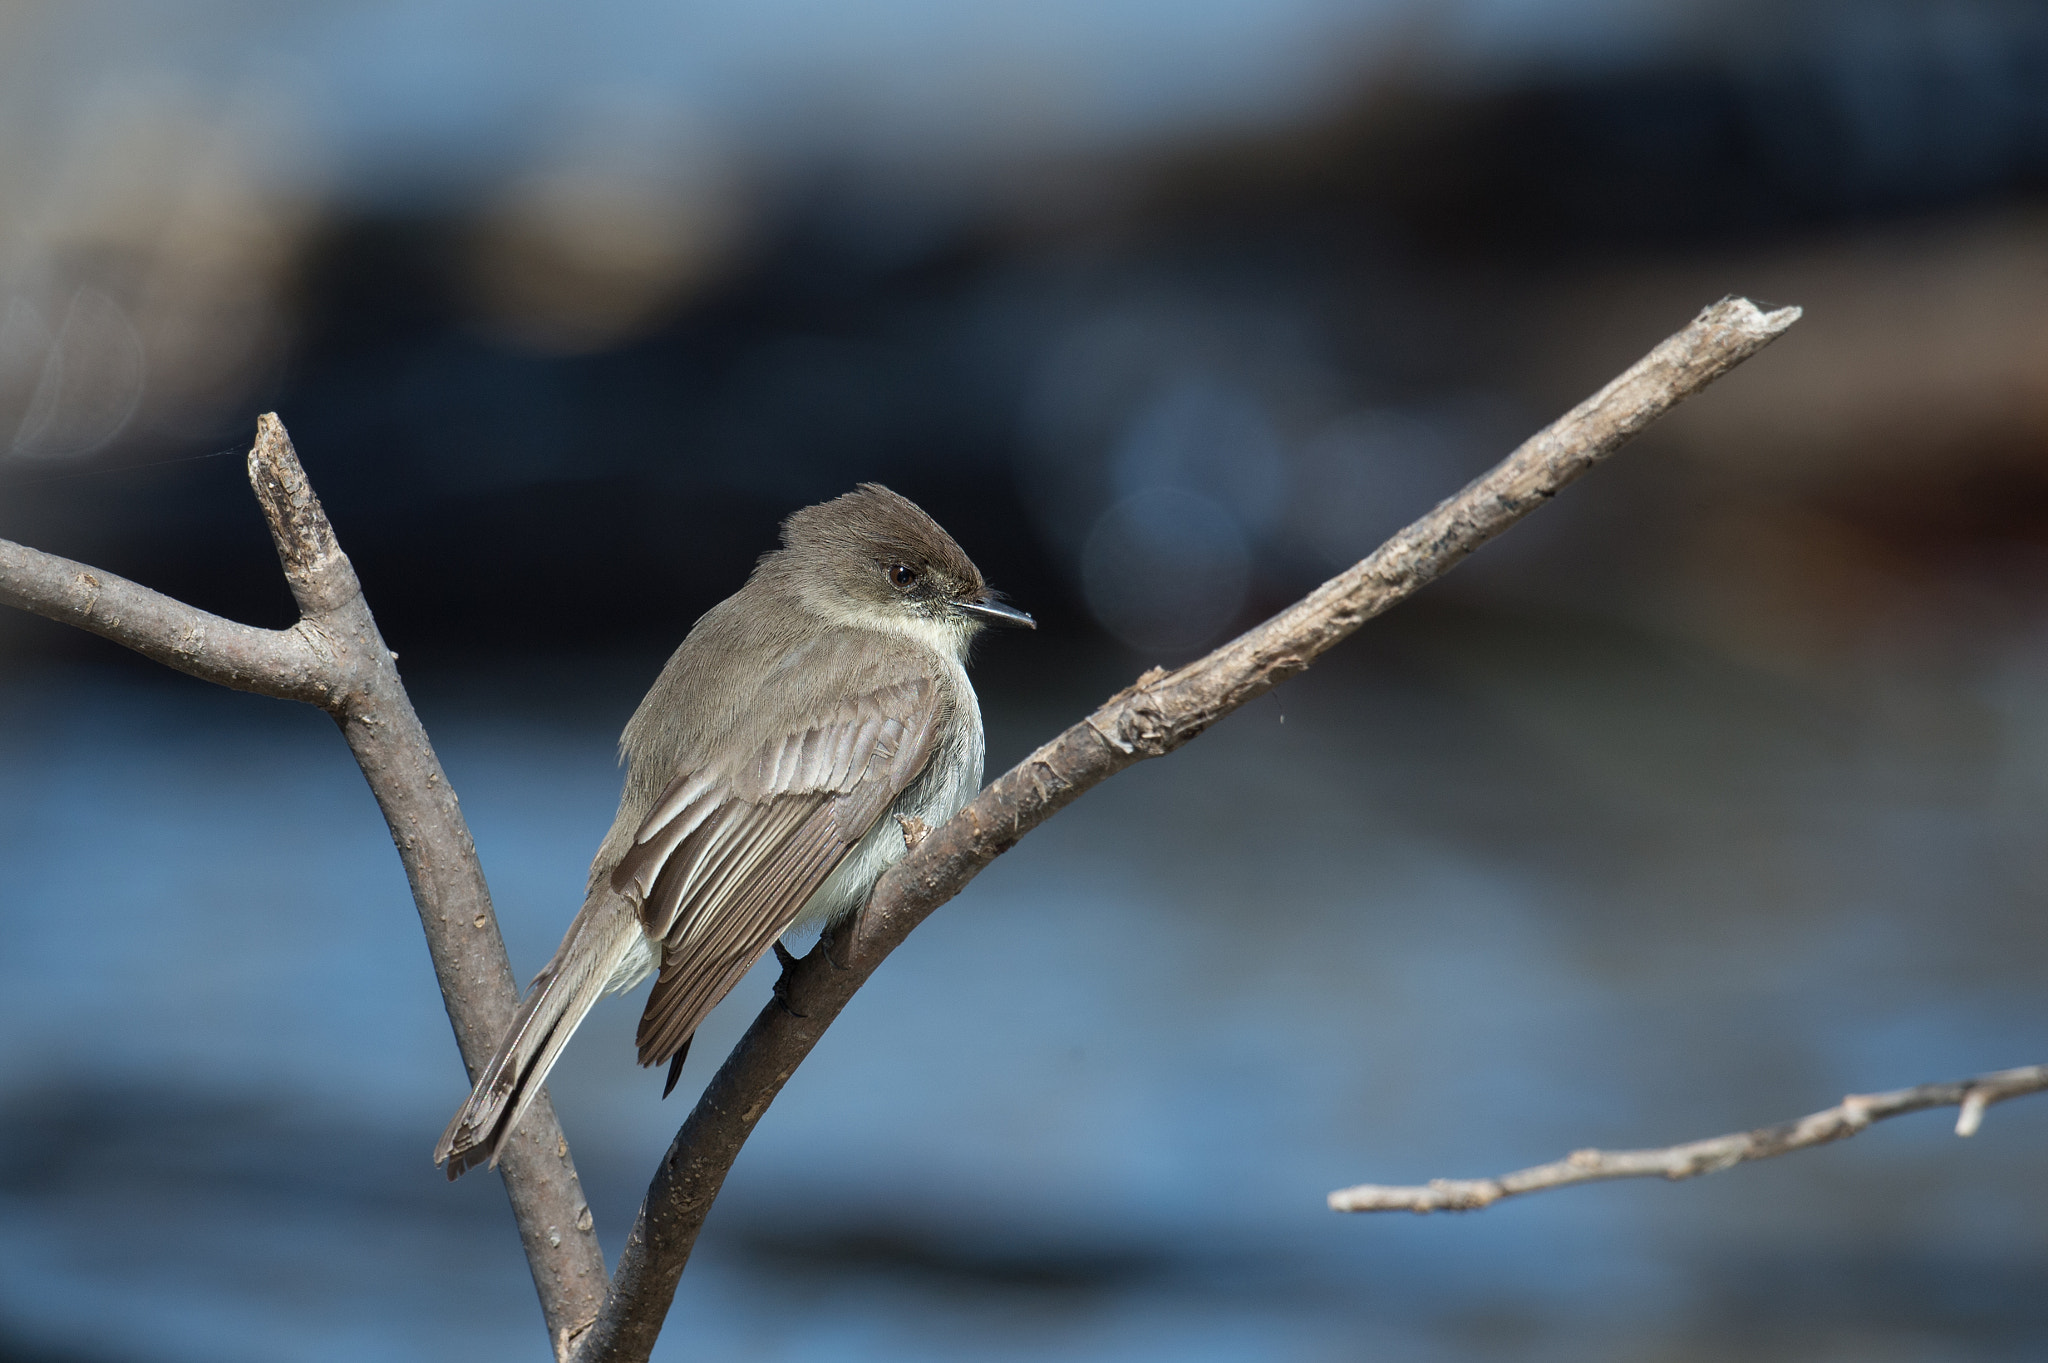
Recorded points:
(1154, 717)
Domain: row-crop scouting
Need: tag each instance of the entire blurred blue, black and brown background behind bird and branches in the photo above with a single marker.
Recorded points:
(1699, 801)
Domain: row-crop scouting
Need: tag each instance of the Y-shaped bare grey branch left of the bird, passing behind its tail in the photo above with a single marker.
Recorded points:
(337, 660)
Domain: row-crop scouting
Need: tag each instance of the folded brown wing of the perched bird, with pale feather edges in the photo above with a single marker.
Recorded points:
(728, 859)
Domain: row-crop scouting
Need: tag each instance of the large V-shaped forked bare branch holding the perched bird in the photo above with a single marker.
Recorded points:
(335, 658)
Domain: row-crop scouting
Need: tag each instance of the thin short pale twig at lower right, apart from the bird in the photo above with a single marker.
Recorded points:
(1701, 1157)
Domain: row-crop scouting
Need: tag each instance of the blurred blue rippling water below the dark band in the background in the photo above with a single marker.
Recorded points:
(1453, 906)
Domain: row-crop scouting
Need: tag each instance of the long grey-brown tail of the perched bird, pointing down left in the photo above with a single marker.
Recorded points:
(562, 996)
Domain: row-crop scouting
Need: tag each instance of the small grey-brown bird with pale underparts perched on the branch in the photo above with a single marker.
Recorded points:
(771, 777)
